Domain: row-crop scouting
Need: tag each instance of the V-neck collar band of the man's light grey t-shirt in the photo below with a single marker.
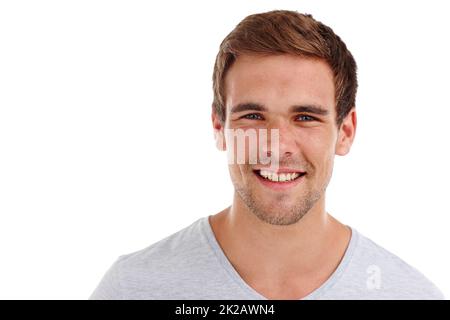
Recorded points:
(253, 294)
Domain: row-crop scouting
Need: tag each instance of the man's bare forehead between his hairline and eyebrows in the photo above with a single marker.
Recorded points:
(284, 79)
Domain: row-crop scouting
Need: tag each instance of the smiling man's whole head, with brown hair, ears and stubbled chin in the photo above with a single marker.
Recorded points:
(284, 70)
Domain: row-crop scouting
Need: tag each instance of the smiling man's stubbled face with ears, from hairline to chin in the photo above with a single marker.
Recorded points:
(296, 96)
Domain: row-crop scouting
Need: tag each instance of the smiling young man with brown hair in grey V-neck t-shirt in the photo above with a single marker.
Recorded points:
(284, 71)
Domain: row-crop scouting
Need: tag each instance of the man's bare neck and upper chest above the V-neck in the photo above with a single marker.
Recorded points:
(269, 256)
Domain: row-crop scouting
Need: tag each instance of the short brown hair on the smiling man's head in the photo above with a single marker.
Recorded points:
(288, 32)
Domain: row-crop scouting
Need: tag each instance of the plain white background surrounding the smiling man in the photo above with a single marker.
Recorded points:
(106, 144)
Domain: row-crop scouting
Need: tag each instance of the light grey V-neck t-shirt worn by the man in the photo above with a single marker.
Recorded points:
(190, 264)
